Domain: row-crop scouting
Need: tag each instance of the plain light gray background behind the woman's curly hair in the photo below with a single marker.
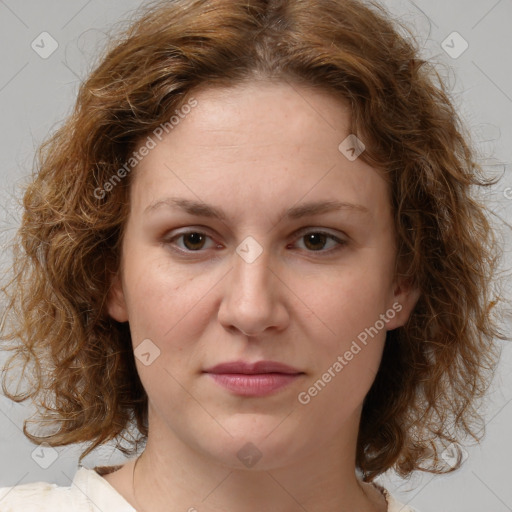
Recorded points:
(37, 93)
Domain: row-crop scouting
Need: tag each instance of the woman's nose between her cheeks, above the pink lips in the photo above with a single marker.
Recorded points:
(253, 299)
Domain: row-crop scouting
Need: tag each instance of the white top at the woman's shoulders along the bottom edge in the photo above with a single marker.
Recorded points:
(90, 492)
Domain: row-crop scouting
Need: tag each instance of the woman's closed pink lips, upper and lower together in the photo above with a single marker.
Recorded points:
(253, 379)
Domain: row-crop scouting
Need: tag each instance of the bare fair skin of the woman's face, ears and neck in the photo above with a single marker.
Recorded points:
(255, 150)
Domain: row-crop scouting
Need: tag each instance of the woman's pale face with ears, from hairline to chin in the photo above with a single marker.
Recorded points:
(270, 279)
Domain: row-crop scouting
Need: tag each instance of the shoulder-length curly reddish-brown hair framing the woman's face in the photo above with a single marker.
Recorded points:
(78, 363)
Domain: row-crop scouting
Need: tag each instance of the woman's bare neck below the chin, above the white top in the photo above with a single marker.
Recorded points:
(170, 476)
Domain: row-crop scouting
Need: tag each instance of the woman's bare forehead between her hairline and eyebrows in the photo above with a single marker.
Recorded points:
(258, 144)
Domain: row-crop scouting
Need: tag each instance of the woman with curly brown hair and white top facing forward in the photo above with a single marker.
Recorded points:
(255, 241)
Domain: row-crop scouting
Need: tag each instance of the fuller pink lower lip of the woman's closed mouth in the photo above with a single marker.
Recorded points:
(253, 385)
